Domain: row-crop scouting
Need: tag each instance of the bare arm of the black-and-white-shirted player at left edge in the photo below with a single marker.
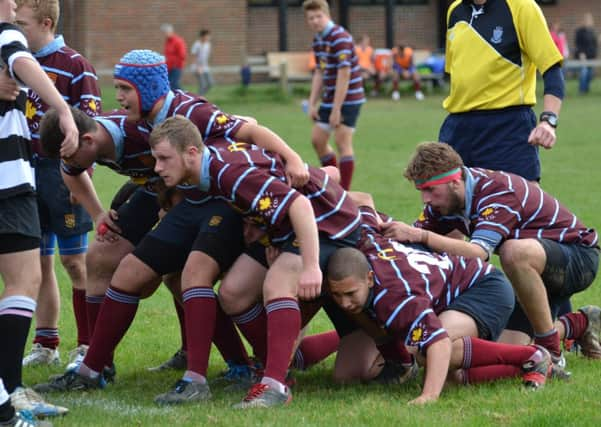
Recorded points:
(29, 72)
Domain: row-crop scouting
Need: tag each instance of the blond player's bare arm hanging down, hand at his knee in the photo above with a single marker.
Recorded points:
(304, 225)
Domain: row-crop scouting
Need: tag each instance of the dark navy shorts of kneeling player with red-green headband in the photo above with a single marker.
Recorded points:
(569, 269)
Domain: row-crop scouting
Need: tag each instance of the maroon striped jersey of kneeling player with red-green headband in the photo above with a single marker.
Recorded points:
(502, 206)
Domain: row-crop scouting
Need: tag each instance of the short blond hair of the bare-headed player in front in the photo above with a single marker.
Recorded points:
(180, 132)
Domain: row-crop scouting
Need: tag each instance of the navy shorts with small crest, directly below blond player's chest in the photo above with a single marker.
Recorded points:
(212, 227)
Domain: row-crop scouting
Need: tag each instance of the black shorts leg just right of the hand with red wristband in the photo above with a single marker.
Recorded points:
(138, 215)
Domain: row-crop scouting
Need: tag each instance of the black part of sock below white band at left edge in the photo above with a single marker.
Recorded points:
(13, 330)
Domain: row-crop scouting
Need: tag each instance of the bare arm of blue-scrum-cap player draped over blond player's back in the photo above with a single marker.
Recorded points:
(269, 140)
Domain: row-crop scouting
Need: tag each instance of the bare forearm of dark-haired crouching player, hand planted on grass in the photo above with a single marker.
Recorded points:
(438, 357)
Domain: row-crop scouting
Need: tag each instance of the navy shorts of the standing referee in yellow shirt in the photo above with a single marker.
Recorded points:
(495, 139)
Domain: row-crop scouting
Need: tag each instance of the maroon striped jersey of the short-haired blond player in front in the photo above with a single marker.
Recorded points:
(253, 181)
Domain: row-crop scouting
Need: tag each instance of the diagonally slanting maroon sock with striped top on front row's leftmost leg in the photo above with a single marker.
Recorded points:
(114, 318)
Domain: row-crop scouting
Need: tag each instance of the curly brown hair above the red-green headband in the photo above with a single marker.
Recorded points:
(431, 159)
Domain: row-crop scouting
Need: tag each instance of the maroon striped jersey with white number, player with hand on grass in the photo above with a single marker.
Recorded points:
(412, 286)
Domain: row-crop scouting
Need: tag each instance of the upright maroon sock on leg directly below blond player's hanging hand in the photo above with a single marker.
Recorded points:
(283, 327)
